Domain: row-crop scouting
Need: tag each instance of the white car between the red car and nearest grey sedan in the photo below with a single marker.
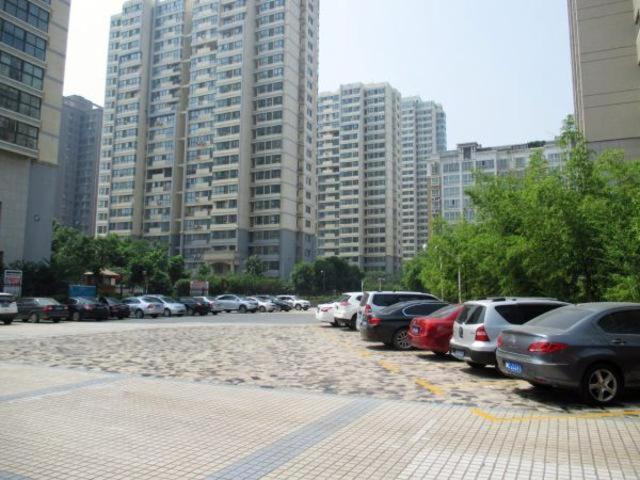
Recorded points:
(476, 330)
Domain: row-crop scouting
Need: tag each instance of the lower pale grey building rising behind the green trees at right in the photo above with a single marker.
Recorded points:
(451, 172)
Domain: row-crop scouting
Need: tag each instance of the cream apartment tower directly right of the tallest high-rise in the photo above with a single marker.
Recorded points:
(359, 175)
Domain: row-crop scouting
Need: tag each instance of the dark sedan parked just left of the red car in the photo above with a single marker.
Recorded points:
(391, 325)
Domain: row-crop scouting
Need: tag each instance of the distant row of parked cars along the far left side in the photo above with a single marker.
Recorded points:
(36, 309)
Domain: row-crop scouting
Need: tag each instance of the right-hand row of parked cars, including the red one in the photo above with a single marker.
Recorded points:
(593, 348)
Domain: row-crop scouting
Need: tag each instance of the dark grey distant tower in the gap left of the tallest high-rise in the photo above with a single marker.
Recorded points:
(78, 154)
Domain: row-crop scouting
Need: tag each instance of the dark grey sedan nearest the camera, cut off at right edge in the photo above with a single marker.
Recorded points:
(591, 347)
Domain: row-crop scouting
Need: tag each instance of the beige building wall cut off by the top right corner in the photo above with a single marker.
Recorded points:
(605, 47)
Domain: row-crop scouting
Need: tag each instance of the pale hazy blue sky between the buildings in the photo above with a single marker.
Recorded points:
(501, 68)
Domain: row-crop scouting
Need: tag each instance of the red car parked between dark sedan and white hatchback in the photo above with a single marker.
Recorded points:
(434, 331)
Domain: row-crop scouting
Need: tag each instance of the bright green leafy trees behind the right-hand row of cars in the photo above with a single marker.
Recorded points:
(572, 232)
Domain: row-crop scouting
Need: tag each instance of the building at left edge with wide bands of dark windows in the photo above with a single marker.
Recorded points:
(33, 43)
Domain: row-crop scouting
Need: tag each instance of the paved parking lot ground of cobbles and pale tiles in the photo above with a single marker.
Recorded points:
(279, 396)
